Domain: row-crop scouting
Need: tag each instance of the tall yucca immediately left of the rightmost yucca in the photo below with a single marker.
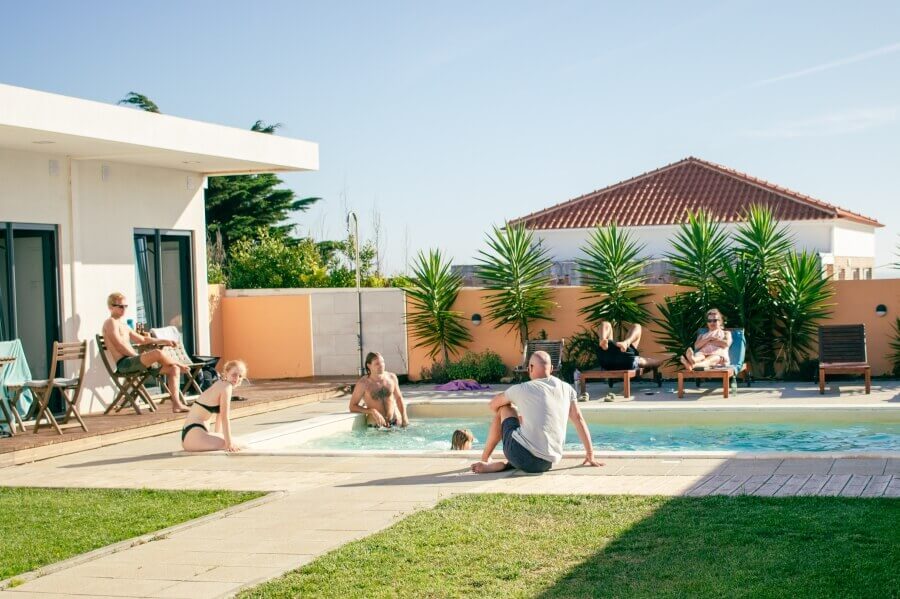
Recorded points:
(746, 290)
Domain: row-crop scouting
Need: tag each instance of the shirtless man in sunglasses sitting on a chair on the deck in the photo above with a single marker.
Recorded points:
(119, 337)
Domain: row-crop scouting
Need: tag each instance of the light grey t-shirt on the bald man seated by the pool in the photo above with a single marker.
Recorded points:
(543, 405)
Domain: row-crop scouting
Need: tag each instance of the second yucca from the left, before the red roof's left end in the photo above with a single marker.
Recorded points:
(518, 272)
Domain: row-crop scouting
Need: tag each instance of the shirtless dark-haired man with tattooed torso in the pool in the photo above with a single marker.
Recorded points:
(380, 391)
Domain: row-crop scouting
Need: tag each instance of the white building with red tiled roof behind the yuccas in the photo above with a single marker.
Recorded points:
(652, 206)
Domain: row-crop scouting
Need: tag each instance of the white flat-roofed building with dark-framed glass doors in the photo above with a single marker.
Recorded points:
(96, 198)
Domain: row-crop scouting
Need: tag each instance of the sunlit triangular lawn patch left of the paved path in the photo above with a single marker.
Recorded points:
(43, 526)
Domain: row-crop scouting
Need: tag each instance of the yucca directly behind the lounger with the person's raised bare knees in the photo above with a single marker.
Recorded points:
(612, 272)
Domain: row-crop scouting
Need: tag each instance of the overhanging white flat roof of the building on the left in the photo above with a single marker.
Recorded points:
(37, 121)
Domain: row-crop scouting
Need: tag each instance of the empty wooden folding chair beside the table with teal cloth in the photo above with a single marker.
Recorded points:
(69, 387)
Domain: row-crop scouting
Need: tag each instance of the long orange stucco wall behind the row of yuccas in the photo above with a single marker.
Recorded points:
(855, 302)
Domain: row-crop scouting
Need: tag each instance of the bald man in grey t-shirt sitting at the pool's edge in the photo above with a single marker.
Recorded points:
(531, 418)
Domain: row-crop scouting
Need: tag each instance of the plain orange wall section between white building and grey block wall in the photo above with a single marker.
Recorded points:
(272, 334)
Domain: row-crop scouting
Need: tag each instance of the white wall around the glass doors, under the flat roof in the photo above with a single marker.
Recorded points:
(96, 219)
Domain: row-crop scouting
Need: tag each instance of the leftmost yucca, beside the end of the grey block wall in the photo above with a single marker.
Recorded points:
(432, 293)
